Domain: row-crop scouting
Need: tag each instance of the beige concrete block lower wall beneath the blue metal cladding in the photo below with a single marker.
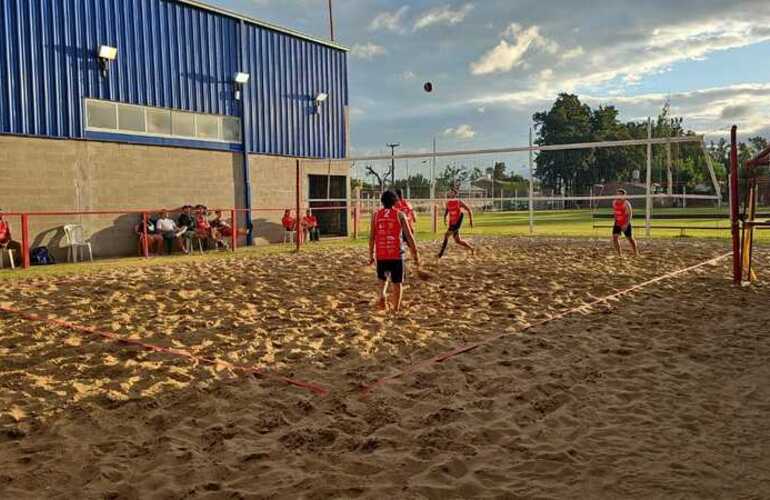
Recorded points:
(45, 175)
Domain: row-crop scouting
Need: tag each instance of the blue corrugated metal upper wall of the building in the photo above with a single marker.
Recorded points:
(170, 55)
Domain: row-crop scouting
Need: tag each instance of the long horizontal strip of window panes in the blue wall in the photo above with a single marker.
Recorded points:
(105, 116)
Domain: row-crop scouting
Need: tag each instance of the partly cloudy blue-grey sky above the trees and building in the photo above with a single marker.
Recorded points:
(493, 63)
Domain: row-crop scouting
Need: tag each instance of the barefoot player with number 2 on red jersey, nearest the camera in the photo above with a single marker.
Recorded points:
(388, 228)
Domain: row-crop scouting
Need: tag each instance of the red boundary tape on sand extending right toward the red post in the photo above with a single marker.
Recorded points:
(366, 389)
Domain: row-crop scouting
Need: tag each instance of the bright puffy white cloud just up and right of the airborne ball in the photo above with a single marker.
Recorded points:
(508, 55)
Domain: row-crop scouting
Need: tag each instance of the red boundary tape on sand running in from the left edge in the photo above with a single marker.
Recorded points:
(113, 337)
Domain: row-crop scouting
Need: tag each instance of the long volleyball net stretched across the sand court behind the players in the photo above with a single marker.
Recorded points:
(672, 184)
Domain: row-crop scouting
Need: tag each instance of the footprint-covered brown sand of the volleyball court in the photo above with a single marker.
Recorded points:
(661, 394)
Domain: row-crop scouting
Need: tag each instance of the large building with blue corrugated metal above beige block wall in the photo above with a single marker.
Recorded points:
(143, 104)
